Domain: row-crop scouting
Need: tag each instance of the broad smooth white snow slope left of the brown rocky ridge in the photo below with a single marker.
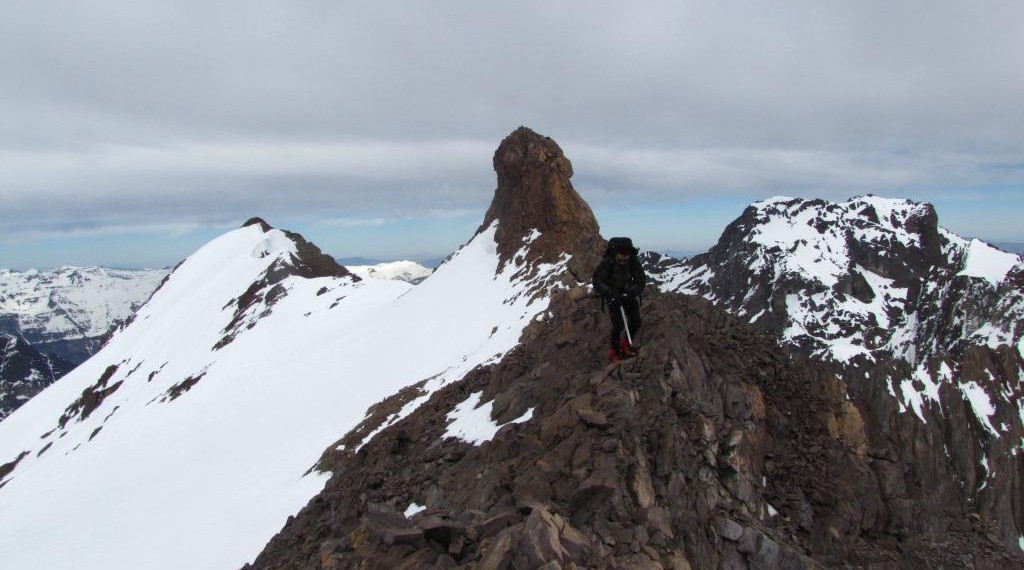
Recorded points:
(195, 457)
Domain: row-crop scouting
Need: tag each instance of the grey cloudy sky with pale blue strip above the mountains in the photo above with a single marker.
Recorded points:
(134, 131)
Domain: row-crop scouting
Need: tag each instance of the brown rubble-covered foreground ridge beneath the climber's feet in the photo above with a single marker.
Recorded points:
(713, 449)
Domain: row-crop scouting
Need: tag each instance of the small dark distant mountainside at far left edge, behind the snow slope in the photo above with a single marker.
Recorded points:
(25, 372)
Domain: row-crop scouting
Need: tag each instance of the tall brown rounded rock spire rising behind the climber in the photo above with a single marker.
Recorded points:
(535, 194)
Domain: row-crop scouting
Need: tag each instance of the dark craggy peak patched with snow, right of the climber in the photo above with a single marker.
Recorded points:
(873, 284)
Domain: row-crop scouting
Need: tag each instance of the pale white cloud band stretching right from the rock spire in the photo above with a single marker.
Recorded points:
(657, 173)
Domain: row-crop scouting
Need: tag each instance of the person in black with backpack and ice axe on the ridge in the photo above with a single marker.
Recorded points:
(620, 281)
